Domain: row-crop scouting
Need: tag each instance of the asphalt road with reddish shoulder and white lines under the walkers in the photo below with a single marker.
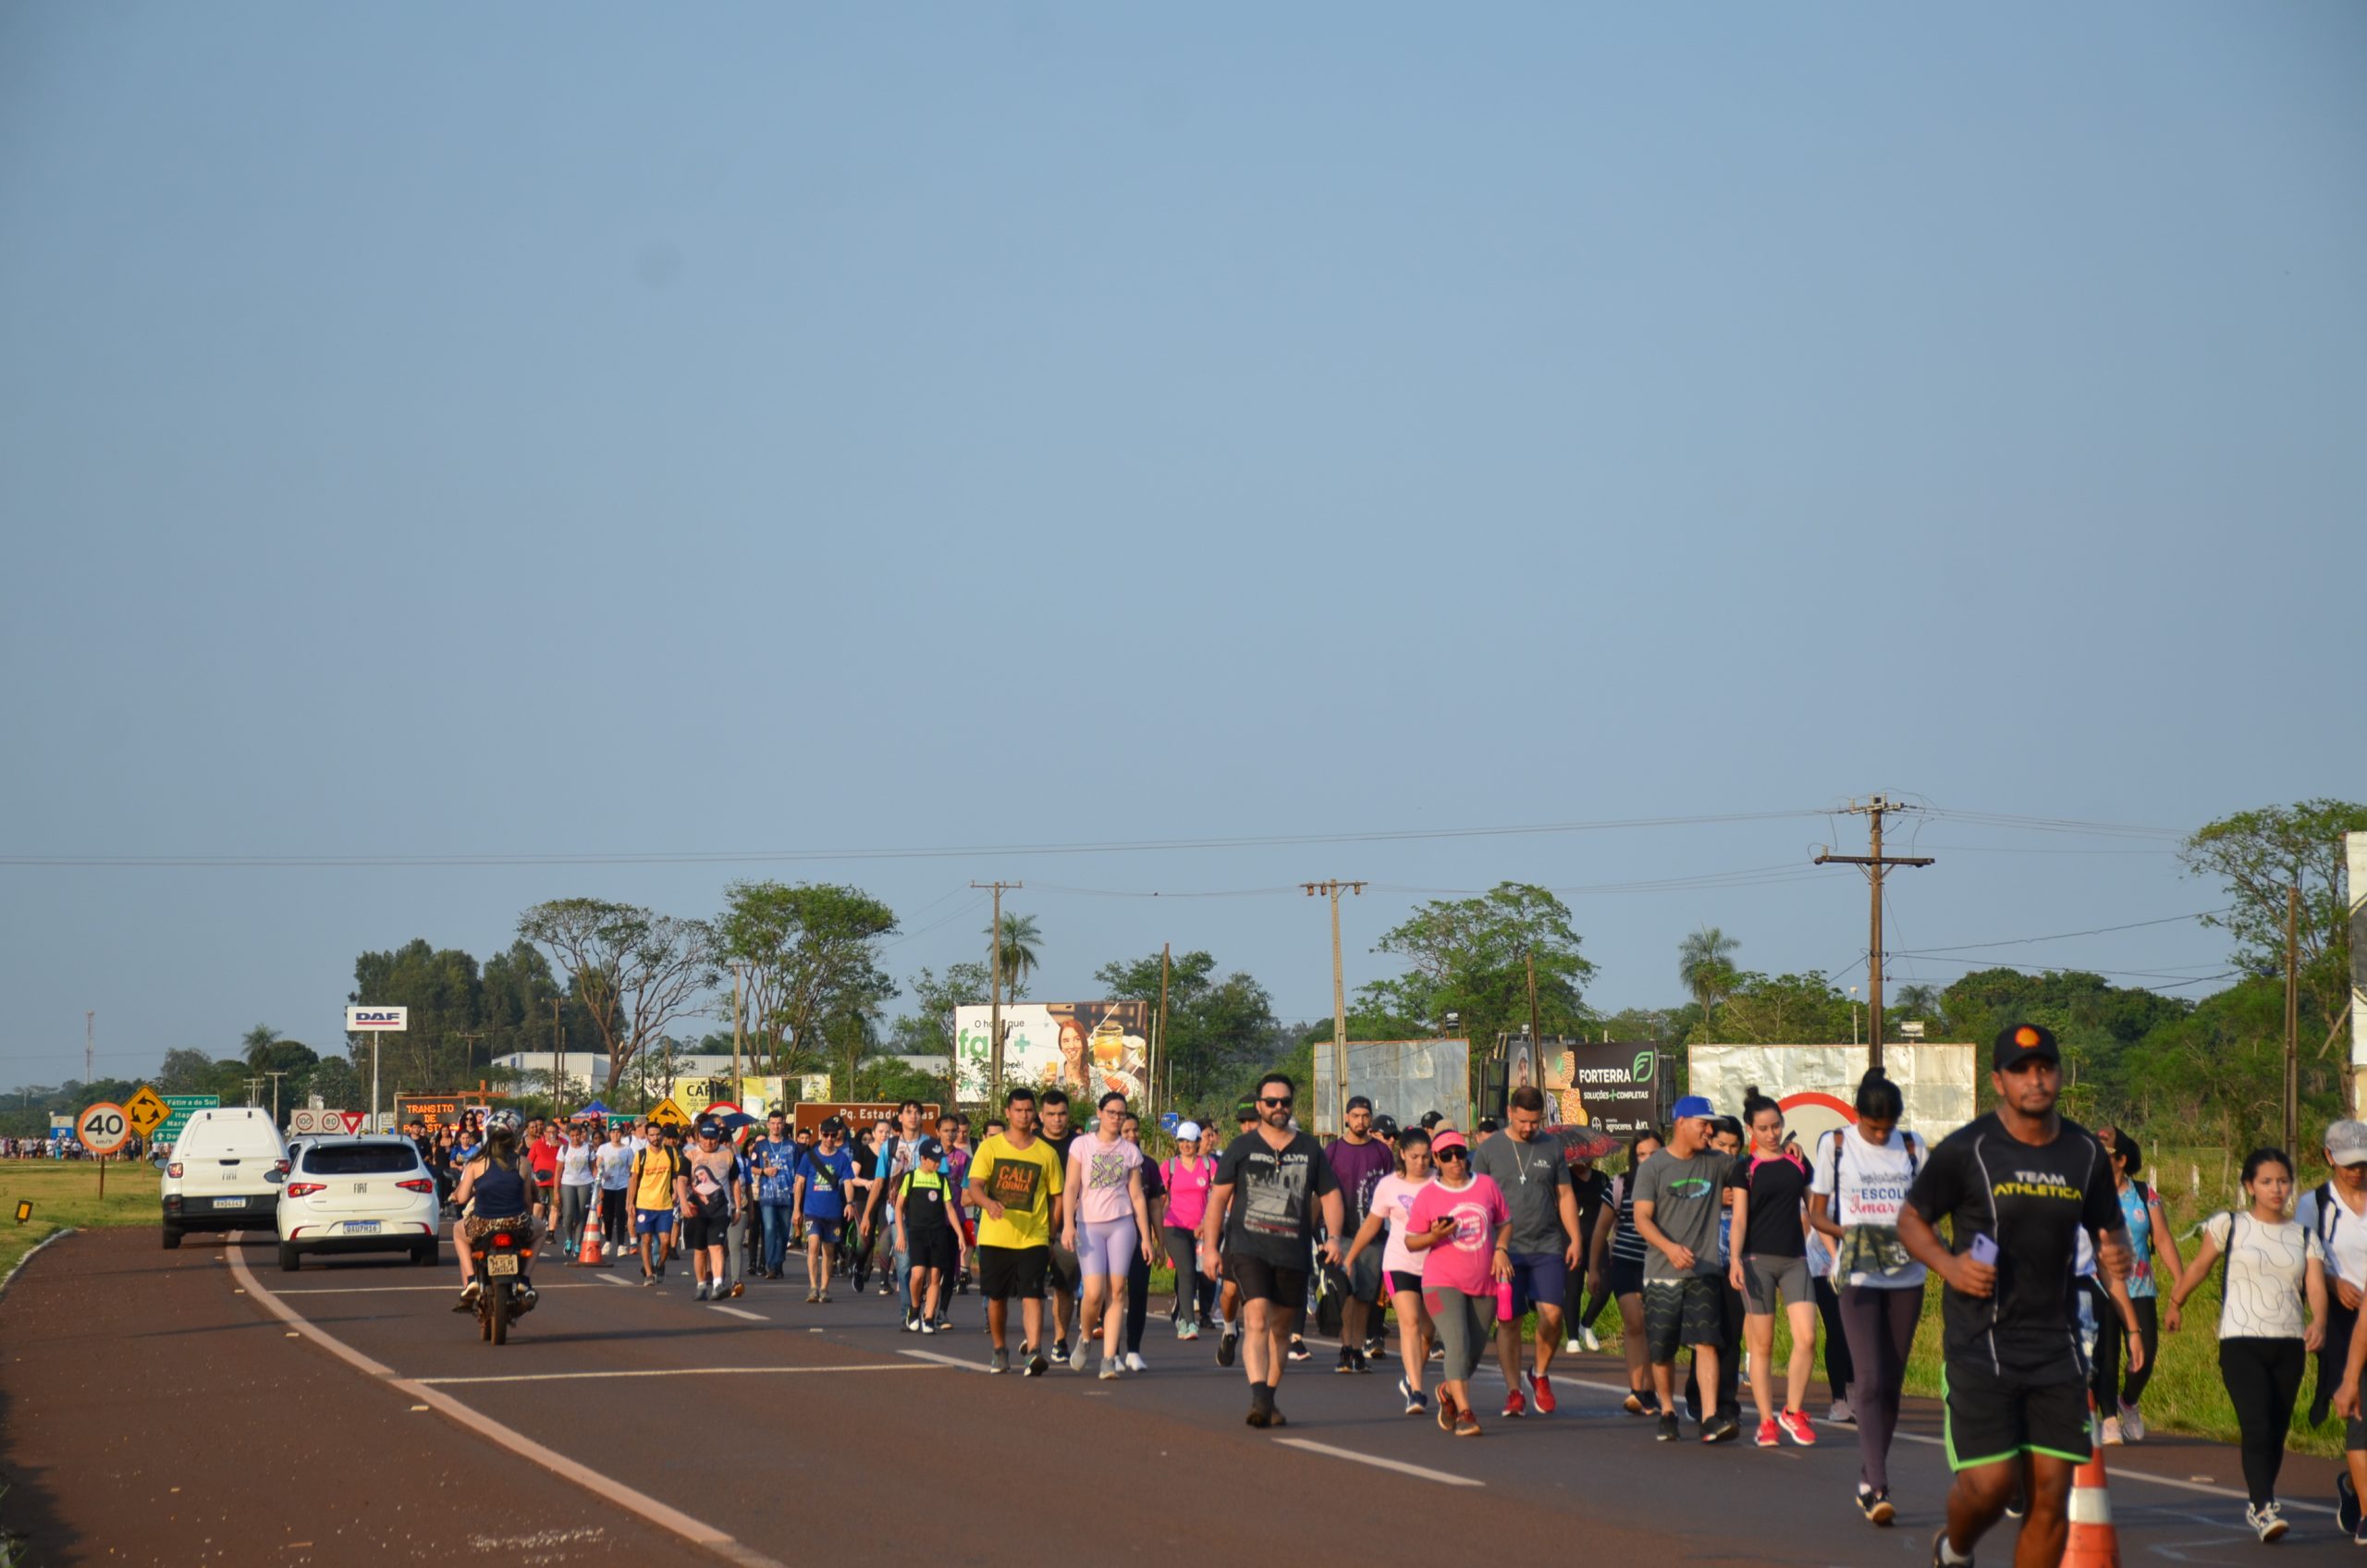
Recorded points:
(773, 1432)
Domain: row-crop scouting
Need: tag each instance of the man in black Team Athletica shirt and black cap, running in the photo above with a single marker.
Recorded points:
(2016, 1188)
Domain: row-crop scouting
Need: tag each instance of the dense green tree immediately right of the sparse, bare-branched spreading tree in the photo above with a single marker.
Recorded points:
(804, 951)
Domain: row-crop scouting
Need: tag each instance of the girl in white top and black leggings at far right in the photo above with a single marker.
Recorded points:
(2274, 1268)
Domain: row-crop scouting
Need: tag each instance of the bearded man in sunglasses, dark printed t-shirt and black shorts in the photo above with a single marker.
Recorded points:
(1286, 1190)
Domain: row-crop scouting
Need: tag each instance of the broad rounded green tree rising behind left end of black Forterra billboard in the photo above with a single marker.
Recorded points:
(1473, 956)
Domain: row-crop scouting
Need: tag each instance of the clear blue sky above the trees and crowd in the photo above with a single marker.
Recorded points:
(591, 430)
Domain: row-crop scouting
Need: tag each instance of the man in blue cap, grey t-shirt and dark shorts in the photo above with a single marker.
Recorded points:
(1679, 1195)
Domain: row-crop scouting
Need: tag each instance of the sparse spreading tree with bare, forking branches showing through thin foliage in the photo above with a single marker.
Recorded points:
(638, 970)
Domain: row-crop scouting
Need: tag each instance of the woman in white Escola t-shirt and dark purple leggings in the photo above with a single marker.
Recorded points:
(1857, 1190)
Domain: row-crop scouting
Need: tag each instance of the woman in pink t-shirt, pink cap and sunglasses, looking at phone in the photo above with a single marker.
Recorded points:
(1462, 1230)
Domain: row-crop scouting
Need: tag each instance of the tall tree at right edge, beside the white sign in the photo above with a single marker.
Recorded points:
(2257, 856)
